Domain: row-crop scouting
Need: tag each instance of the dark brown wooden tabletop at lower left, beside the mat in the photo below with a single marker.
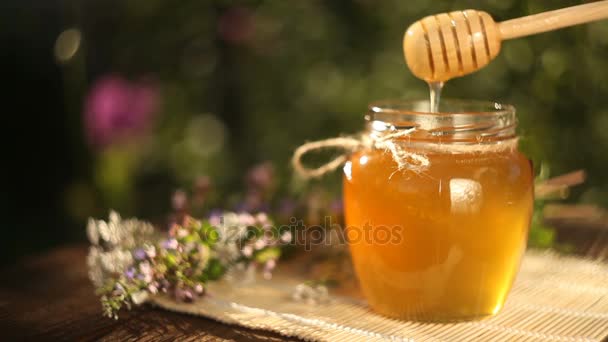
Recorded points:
(50, 297)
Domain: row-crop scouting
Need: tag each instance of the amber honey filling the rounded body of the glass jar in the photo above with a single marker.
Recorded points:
(456, 232)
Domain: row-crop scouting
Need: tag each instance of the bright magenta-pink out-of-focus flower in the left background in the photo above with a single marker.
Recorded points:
(117, 109)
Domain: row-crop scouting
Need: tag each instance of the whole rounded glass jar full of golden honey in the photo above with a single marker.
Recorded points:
(440, 241)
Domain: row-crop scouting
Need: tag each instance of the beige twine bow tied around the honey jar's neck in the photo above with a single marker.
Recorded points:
(403, 159)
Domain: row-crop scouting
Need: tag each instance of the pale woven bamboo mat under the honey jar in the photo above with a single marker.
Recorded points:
(554, 299)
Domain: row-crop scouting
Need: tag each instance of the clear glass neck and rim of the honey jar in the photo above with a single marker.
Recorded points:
(458, 122)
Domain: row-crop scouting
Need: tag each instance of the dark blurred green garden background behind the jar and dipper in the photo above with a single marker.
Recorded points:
(116, 104)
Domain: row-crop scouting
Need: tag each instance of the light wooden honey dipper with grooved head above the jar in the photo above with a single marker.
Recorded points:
(440, 47)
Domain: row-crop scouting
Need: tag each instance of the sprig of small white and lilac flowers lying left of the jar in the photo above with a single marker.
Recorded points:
(128, 264)
